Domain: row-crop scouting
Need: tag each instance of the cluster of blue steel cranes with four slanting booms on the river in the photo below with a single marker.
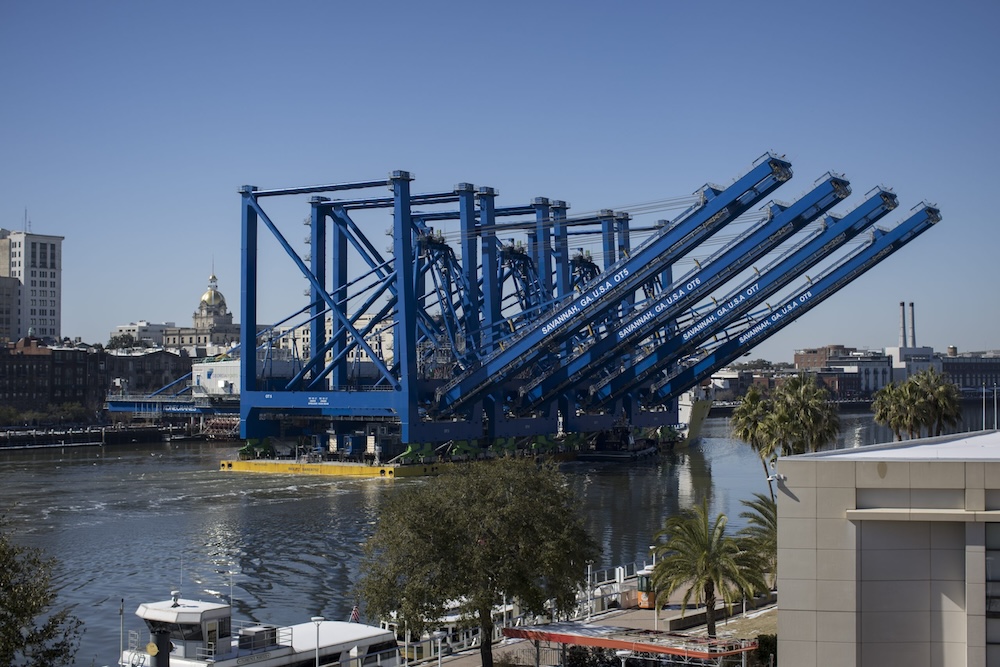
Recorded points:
(498, 330)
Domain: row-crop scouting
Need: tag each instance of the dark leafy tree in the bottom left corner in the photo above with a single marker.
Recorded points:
(33, 633)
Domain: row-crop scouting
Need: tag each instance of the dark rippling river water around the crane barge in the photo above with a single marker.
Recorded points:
(133, 522)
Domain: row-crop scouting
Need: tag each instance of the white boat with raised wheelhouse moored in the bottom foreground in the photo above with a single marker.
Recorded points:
(189, 633)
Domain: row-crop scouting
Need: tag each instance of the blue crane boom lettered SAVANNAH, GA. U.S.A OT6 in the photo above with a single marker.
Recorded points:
(783, 222)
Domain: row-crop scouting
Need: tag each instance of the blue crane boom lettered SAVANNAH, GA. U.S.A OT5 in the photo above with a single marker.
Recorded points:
(624, 277)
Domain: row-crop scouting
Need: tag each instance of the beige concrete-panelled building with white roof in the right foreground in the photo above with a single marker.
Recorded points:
(890, 554)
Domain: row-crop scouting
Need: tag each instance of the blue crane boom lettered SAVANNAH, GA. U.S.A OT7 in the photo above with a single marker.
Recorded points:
(741, 300)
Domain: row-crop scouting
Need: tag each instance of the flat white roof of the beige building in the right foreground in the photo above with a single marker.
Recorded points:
(974, 446)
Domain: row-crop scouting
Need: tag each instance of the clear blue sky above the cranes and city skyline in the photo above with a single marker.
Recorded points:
(128, 127)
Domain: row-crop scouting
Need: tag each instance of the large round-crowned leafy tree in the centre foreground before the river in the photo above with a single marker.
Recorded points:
(477, 535)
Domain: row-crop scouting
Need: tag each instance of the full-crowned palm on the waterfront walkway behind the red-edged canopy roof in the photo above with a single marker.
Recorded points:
(698, 555)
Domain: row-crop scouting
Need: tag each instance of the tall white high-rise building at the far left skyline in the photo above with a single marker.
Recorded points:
(35, 260)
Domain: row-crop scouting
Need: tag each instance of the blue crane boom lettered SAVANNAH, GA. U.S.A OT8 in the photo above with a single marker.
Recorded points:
(883, 244)
